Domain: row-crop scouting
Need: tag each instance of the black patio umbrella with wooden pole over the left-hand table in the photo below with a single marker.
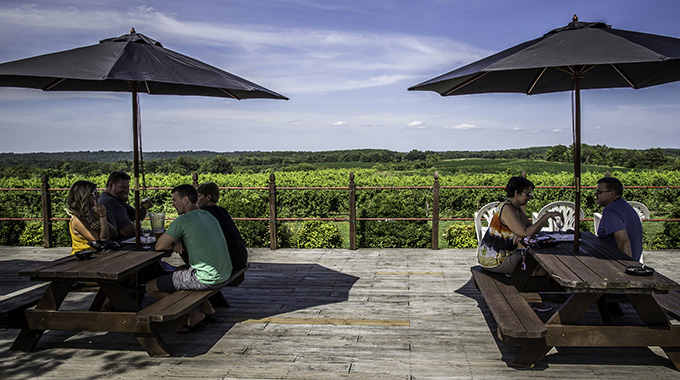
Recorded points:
(130, 63)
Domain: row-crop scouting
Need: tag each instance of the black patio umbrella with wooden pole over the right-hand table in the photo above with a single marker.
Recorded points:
(581, 55)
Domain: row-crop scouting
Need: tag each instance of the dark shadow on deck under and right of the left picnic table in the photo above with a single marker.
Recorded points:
(269, 289)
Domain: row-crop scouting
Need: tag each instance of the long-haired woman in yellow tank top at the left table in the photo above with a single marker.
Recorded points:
(88, 218)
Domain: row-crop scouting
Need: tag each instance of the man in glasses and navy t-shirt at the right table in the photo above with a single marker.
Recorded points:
(620, 225)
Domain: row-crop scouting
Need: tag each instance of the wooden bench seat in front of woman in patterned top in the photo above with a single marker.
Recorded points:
(514, 317)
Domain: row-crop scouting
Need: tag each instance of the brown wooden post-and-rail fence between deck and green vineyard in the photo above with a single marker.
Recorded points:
(273, 219)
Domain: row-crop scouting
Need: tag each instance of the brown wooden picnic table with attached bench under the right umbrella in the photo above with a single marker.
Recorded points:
(591, 276)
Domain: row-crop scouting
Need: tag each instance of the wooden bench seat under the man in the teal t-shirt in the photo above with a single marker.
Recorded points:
(167, 311)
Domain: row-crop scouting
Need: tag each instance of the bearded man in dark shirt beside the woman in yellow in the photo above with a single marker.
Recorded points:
(119, 213)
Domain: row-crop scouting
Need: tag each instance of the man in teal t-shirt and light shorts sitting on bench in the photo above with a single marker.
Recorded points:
(208, 255)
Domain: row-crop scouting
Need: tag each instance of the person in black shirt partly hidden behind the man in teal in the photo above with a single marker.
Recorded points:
(208, 195)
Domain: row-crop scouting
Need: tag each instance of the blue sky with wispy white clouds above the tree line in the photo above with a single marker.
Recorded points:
(345, 65)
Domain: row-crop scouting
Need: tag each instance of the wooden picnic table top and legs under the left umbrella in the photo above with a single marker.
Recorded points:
(111, 271)
